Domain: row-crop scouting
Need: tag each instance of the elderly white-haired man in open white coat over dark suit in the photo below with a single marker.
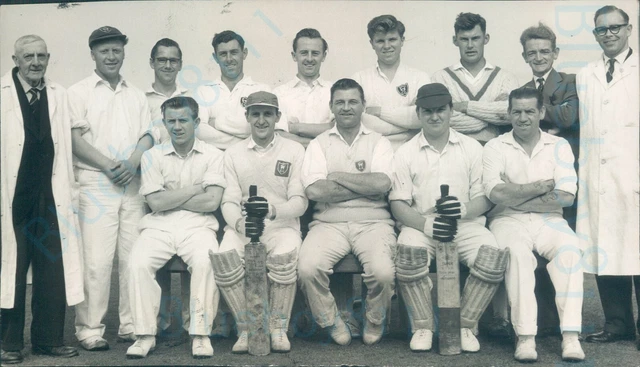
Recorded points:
(39, 225)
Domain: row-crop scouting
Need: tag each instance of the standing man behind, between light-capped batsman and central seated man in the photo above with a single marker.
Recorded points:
(305, 99)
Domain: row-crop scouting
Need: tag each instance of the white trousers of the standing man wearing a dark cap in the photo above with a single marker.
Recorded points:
(109, 217)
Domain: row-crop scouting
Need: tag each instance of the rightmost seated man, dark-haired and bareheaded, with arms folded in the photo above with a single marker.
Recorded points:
(529, 174)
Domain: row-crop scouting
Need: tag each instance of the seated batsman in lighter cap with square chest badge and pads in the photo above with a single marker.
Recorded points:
(273, 164)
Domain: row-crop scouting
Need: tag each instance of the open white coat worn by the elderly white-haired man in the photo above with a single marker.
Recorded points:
(63, 183)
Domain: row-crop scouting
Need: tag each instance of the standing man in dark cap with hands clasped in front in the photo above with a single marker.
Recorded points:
(109, 122)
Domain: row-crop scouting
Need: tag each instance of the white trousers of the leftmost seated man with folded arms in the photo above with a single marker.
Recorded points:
(151, 251)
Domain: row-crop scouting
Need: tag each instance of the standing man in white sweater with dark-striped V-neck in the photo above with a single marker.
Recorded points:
(479, 89)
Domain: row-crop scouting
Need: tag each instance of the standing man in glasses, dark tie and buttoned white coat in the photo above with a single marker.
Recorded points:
(608, 90)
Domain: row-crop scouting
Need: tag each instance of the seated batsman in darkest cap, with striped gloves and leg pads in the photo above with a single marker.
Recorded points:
(436, 156)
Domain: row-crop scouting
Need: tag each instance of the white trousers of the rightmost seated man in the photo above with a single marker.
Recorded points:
(551, 237)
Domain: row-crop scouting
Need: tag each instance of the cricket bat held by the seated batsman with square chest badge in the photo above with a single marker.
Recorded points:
(256, 291)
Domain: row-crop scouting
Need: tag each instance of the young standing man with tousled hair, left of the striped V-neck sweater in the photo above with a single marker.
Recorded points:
(390, 86)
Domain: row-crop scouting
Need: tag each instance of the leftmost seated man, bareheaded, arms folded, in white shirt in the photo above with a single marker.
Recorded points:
(182, 182)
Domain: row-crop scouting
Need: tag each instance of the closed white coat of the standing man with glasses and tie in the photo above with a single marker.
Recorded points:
(608, 212)
